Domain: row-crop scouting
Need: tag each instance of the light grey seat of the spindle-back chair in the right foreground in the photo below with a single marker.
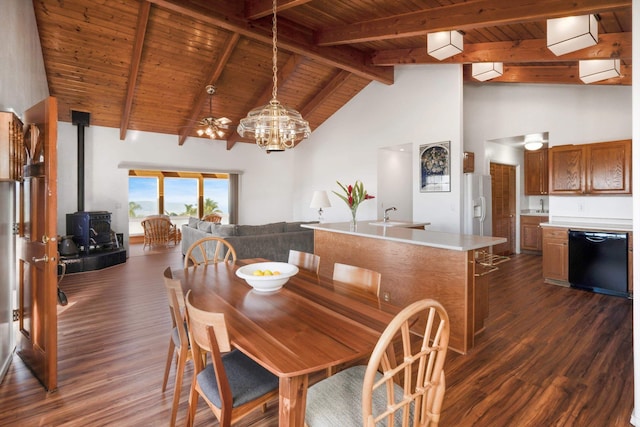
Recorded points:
(337, 400)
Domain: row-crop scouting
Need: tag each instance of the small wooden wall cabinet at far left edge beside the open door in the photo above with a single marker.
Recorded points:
(11, 147)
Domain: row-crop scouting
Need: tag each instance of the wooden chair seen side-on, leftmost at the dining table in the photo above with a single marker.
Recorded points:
(178, 341)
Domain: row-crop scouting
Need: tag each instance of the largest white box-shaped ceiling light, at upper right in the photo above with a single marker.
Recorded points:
(572, 33)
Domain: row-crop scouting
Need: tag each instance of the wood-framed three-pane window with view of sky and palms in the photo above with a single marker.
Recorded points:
(180, 195)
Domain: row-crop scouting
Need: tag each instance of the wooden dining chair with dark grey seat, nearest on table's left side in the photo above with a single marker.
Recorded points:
(232, 384)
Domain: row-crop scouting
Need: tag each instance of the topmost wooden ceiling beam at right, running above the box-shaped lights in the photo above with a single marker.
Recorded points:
(462, 16)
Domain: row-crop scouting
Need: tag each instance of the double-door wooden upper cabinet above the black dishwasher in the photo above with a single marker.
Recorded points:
(600, 168)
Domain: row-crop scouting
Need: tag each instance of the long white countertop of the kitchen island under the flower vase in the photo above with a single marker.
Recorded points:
(435, 239)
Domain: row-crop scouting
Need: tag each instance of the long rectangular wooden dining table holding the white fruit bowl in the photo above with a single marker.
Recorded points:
(312, 323)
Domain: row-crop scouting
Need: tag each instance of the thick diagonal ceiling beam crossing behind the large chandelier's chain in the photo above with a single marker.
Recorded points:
(343, 57)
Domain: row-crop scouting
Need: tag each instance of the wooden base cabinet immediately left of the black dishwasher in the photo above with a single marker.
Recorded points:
(555, 255)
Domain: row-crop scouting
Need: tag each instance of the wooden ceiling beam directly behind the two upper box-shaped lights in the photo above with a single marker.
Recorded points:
(612, 45)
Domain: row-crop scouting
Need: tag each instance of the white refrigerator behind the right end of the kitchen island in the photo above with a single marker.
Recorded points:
(477, 204)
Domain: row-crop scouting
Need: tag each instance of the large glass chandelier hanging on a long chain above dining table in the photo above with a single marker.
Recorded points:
(274, 126)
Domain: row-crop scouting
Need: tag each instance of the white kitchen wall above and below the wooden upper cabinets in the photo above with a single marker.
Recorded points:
(572, 114)
